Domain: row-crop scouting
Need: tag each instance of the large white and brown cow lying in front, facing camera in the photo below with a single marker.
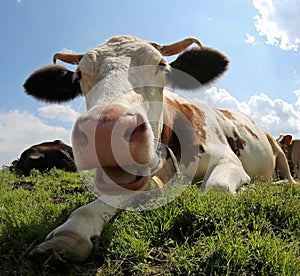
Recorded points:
(137, 131)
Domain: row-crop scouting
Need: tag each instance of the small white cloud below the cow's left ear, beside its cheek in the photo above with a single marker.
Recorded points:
(63, 113)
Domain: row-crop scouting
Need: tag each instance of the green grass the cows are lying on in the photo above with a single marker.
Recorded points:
(254, 233)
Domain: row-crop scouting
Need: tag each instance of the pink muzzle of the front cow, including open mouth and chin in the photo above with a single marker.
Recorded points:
(119, 144)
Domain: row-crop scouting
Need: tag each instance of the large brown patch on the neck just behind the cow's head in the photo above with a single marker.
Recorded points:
(192, 134)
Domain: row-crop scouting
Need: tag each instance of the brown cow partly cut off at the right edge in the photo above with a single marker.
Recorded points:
(291, 148)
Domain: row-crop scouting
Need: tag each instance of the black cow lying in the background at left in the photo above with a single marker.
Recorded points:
(45, 156)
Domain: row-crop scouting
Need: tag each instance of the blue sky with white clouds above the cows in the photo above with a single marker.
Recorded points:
(260, 37)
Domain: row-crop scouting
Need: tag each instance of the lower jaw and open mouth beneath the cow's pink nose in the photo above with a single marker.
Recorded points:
(117, 180)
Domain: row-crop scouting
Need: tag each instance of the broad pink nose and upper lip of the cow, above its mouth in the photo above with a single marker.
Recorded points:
(113, 138)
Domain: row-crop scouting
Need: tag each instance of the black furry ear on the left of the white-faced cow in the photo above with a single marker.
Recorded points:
(52, 83)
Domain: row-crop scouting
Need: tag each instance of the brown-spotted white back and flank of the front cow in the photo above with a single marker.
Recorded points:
(231, 136)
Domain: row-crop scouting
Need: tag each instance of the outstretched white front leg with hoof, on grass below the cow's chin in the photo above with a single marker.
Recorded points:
(72, 240)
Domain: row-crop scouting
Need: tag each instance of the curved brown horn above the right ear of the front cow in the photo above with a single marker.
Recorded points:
(175, 48)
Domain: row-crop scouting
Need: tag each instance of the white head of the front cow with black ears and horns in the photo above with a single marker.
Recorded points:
(122, 81)
